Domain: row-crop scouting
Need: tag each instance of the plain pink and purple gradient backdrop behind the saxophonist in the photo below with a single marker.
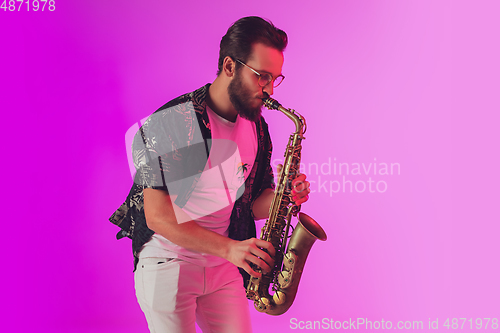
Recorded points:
(408, 82)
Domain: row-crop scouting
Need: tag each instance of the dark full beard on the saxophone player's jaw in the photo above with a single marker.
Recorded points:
(242, 99)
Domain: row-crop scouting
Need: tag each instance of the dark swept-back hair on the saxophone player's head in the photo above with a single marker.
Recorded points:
(237, 42)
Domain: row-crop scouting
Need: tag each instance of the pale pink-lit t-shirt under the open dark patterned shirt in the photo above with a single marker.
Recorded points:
(232, 155)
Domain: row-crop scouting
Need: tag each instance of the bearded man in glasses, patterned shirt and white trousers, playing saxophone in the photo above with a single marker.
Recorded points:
(203, 176)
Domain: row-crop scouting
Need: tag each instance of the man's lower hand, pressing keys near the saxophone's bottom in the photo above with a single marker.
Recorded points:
(252, 250)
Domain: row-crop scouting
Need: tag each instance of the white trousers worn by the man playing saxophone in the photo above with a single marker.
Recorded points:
(173, 294)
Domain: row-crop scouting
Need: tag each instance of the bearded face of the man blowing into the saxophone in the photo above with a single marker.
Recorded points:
(244, 91)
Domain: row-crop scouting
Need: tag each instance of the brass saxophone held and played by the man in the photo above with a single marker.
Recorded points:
(288, 266)
